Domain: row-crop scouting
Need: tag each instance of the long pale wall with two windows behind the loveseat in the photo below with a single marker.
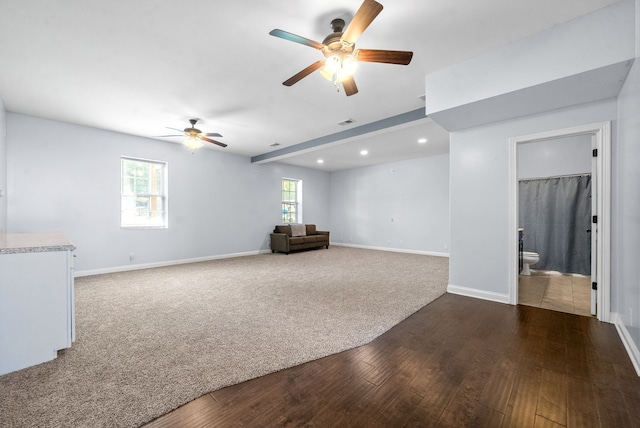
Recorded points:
(64, 177)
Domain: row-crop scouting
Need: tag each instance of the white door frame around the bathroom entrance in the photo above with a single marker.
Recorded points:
(601, 134)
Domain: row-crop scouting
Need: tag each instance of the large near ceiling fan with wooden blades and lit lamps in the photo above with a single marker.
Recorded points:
(341, 57)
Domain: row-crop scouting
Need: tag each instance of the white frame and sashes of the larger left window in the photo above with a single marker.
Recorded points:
(163, 196)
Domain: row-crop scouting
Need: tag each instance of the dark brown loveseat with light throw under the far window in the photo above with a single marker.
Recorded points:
(286, 238)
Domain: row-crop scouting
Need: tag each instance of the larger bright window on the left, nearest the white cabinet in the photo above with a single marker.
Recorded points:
(143, 194)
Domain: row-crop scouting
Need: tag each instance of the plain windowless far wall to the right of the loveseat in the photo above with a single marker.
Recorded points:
(400, 206)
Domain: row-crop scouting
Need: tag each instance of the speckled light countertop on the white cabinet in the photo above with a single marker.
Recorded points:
(13, 243)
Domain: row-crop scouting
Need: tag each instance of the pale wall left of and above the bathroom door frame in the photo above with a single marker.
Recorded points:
(479, 195)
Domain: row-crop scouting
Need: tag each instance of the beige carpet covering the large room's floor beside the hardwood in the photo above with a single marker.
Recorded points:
(151, 340)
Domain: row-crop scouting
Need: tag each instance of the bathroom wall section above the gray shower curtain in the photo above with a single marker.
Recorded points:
(560, 156)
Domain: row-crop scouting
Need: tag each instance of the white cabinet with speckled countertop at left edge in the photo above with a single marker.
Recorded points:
(36, 298)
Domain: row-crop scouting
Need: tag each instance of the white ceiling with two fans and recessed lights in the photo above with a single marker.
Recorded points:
(137, 67)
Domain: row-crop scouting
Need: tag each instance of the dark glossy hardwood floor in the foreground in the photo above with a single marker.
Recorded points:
(457, 362)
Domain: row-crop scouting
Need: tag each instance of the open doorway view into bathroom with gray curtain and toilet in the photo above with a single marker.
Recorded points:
(554, 221)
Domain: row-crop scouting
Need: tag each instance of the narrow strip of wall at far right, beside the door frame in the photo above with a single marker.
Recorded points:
(625, 254)
